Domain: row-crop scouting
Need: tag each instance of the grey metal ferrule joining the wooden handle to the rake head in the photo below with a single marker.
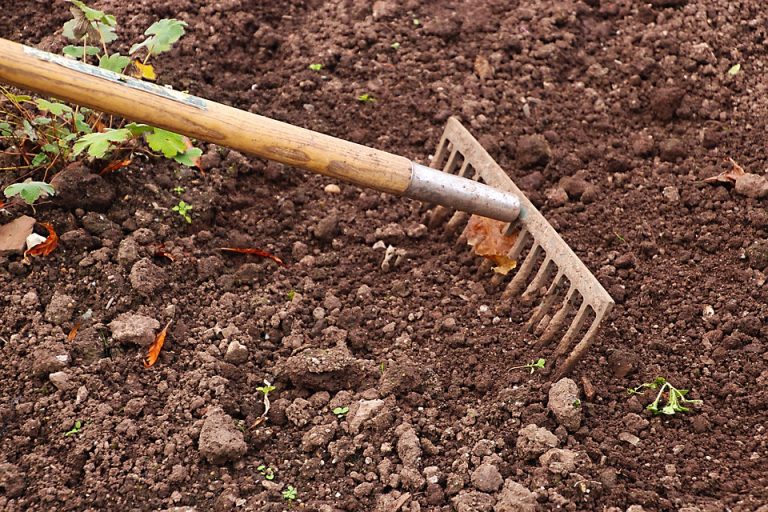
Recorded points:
(433, 186)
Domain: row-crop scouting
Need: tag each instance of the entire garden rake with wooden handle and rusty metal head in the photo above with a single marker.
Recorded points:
(470, 182)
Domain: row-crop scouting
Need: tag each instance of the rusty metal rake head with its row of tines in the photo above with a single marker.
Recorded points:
(570, 295)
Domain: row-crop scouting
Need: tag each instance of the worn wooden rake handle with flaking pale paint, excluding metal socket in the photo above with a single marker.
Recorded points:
(71, 80)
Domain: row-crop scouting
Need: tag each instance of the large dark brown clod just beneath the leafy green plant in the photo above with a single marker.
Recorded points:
(77, 187)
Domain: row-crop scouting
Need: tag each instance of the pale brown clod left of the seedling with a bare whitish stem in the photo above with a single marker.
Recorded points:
(220, 440)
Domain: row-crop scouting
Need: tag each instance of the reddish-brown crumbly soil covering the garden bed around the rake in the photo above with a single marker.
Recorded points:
(609, 114)
